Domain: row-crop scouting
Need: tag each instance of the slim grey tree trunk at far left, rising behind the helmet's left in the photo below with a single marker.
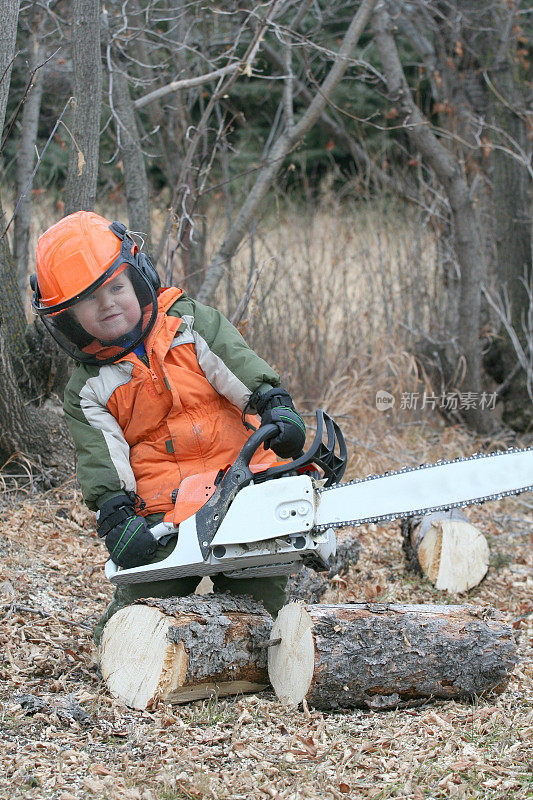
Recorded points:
(25, 161)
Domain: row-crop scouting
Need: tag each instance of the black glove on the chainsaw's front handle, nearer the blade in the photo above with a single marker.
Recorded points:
(276, 406)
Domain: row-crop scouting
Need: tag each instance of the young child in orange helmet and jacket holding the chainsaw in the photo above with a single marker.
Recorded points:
(159, 392)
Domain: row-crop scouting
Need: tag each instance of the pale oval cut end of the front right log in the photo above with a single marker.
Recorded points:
(291, 663)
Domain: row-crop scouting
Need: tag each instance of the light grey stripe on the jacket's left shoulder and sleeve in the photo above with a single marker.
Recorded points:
(93, 400)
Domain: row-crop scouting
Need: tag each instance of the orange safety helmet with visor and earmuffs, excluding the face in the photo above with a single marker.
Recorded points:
(75, 258)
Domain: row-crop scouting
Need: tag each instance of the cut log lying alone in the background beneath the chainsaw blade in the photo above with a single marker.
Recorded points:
(451, 552)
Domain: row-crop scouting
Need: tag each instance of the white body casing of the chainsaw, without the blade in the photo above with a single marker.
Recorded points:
(268, 530)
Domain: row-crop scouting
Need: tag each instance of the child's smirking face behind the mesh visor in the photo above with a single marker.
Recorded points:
(111, 311)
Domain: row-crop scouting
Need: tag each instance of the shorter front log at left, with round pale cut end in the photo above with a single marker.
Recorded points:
(183, 649)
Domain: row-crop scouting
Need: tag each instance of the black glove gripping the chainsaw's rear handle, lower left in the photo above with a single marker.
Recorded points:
(127, 536)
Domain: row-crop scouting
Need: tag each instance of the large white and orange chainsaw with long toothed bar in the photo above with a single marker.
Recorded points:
(247, 521)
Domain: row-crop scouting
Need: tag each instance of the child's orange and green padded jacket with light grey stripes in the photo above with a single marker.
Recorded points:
(144, 424)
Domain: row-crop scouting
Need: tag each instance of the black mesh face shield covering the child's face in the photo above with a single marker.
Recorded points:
(111, 317)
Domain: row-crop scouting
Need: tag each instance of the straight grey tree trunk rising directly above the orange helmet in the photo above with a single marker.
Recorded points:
(84, 150)
